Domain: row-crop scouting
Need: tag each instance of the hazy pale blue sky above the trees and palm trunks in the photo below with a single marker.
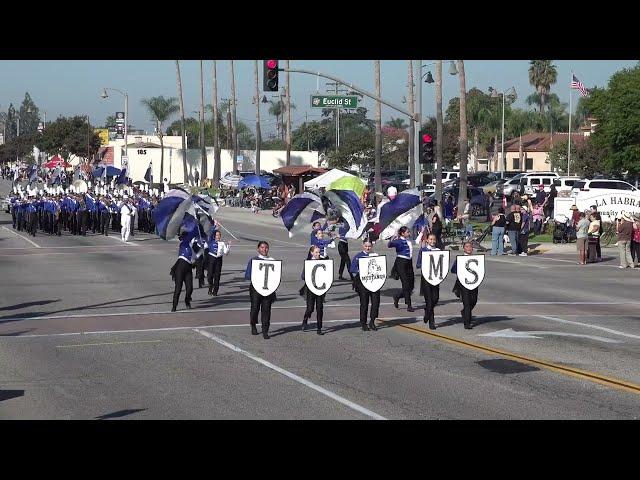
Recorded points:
(73, 87)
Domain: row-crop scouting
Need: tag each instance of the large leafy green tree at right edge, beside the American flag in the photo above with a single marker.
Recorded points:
(617, 110)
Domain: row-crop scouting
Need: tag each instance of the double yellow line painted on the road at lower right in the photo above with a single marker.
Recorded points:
(574, 372)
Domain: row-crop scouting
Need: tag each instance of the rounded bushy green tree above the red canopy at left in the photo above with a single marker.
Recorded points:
(68, 136)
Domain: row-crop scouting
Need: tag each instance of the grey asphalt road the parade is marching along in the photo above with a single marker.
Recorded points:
(86, 332)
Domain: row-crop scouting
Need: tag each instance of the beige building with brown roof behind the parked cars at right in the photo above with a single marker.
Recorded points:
(535, 151)
